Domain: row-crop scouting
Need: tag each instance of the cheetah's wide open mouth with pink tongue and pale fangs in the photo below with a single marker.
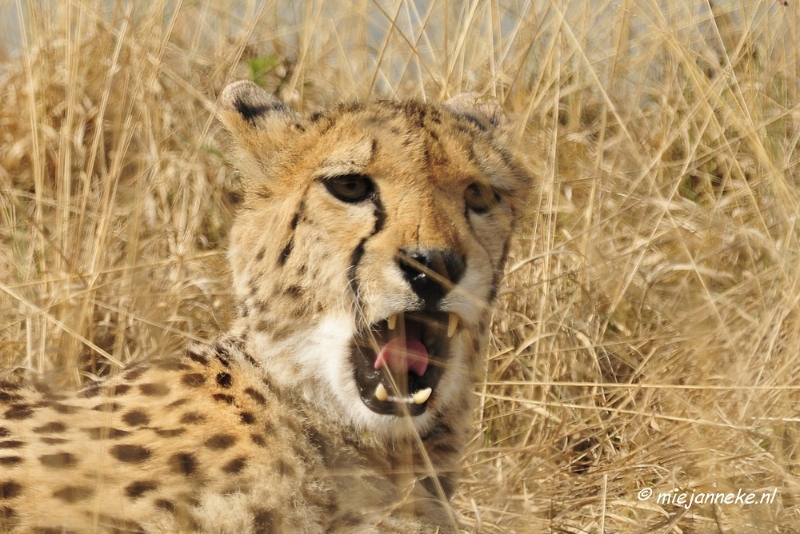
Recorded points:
(398, 362)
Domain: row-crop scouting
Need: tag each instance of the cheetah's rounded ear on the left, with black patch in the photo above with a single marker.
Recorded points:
(259, 123)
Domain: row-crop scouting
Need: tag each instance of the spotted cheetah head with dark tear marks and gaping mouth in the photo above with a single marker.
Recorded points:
(370, 247)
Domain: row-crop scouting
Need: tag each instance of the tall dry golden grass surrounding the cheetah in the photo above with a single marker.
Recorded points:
(649, 332)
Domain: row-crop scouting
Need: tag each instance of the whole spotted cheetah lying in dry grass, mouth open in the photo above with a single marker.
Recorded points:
(366, 255)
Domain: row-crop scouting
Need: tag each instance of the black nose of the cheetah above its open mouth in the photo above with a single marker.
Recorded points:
(431, 273)
